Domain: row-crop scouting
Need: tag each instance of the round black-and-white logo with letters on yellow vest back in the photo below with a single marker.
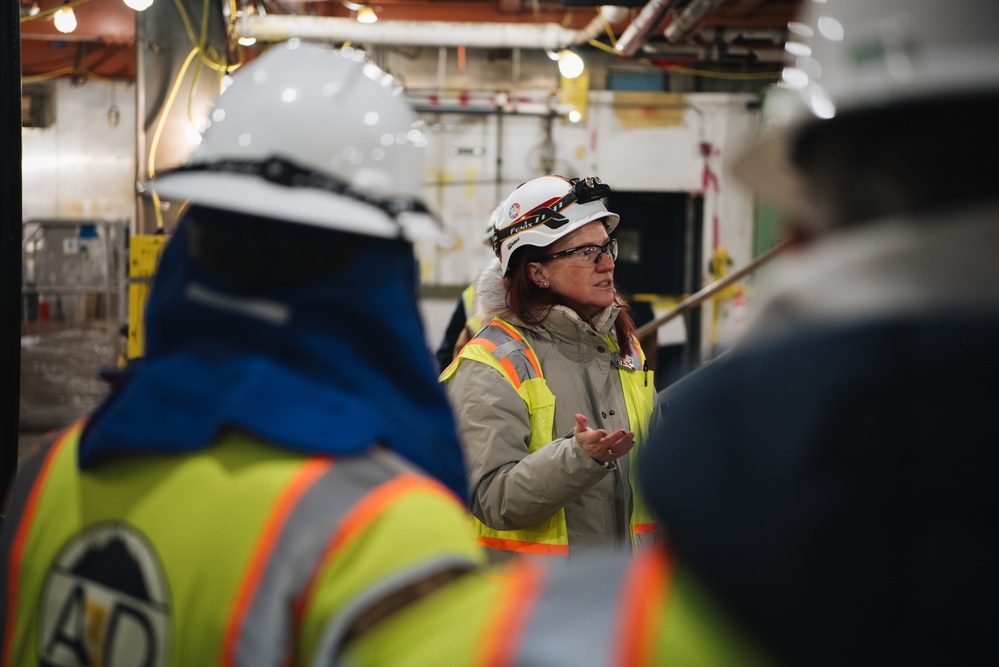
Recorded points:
(105, 601)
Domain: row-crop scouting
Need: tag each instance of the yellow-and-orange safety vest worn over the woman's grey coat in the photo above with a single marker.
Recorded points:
(503, 347)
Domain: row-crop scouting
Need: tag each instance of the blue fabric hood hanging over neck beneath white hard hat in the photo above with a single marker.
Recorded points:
(332, 367)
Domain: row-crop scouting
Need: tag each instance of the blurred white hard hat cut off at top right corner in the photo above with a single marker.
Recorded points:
(848, 57)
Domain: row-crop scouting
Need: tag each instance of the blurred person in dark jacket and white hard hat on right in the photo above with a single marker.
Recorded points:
(831, 480)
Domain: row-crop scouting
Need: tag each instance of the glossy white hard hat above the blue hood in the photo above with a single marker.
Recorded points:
(314, 135)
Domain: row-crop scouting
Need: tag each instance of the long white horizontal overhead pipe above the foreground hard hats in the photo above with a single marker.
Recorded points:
(550, 36)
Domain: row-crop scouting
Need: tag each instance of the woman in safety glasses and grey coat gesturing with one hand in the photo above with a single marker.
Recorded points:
(552, 395)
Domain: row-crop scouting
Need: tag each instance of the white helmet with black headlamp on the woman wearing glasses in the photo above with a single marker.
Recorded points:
(545, 209)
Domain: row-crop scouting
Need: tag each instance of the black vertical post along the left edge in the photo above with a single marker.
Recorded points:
(10, 242)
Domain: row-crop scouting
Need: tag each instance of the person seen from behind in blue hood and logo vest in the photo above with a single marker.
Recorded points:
(281, 471)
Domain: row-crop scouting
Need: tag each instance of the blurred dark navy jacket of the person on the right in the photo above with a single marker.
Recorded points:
(838, 489)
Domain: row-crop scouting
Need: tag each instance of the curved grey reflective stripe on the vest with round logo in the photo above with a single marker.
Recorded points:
(264, 635)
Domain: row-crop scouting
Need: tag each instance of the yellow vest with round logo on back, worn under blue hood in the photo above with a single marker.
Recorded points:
(238, 554)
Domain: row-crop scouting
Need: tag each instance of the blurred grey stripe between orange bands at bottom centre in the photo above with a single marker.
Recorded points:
(575, 621)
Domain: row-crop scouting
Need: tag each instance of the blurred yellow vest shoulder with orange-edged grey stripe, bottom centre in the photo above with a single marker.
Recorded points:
(605, 608)
